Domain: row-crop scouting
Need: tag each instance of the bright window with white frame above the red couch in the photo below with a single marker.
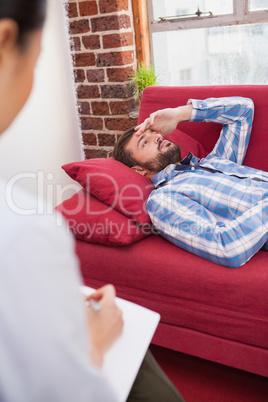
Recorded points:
(188, 49)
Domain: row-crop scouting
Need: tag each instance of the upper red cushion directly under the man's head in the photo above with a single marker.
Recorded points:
(114, 184)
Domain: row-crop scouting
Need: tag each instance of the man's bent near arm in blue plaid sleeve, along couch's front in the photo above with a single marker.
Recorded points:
(189, 225)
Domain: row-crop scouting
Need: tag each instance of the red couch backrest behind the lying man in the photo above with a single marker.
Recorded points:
(159, 97)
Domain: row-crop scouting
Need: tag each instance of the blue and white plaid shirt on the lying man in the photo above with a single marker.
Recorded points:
(215, 207)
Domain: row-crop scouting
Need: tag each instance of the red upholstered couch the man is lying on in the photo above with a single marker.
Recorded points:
(207, 310)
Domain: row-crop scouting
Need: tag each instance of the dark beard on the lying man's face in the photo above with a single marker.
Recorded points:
(163, 159)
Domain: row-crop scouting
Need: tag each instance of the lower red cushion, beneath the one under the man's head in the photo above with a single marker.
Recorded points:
(92, 221)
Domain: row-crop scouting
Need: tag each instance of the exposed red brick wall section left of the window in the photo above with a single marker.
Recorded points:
(104, 55)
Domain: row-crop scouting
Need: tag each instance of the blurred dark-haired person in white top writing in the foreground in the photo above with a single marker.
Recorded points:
(51, 345)
